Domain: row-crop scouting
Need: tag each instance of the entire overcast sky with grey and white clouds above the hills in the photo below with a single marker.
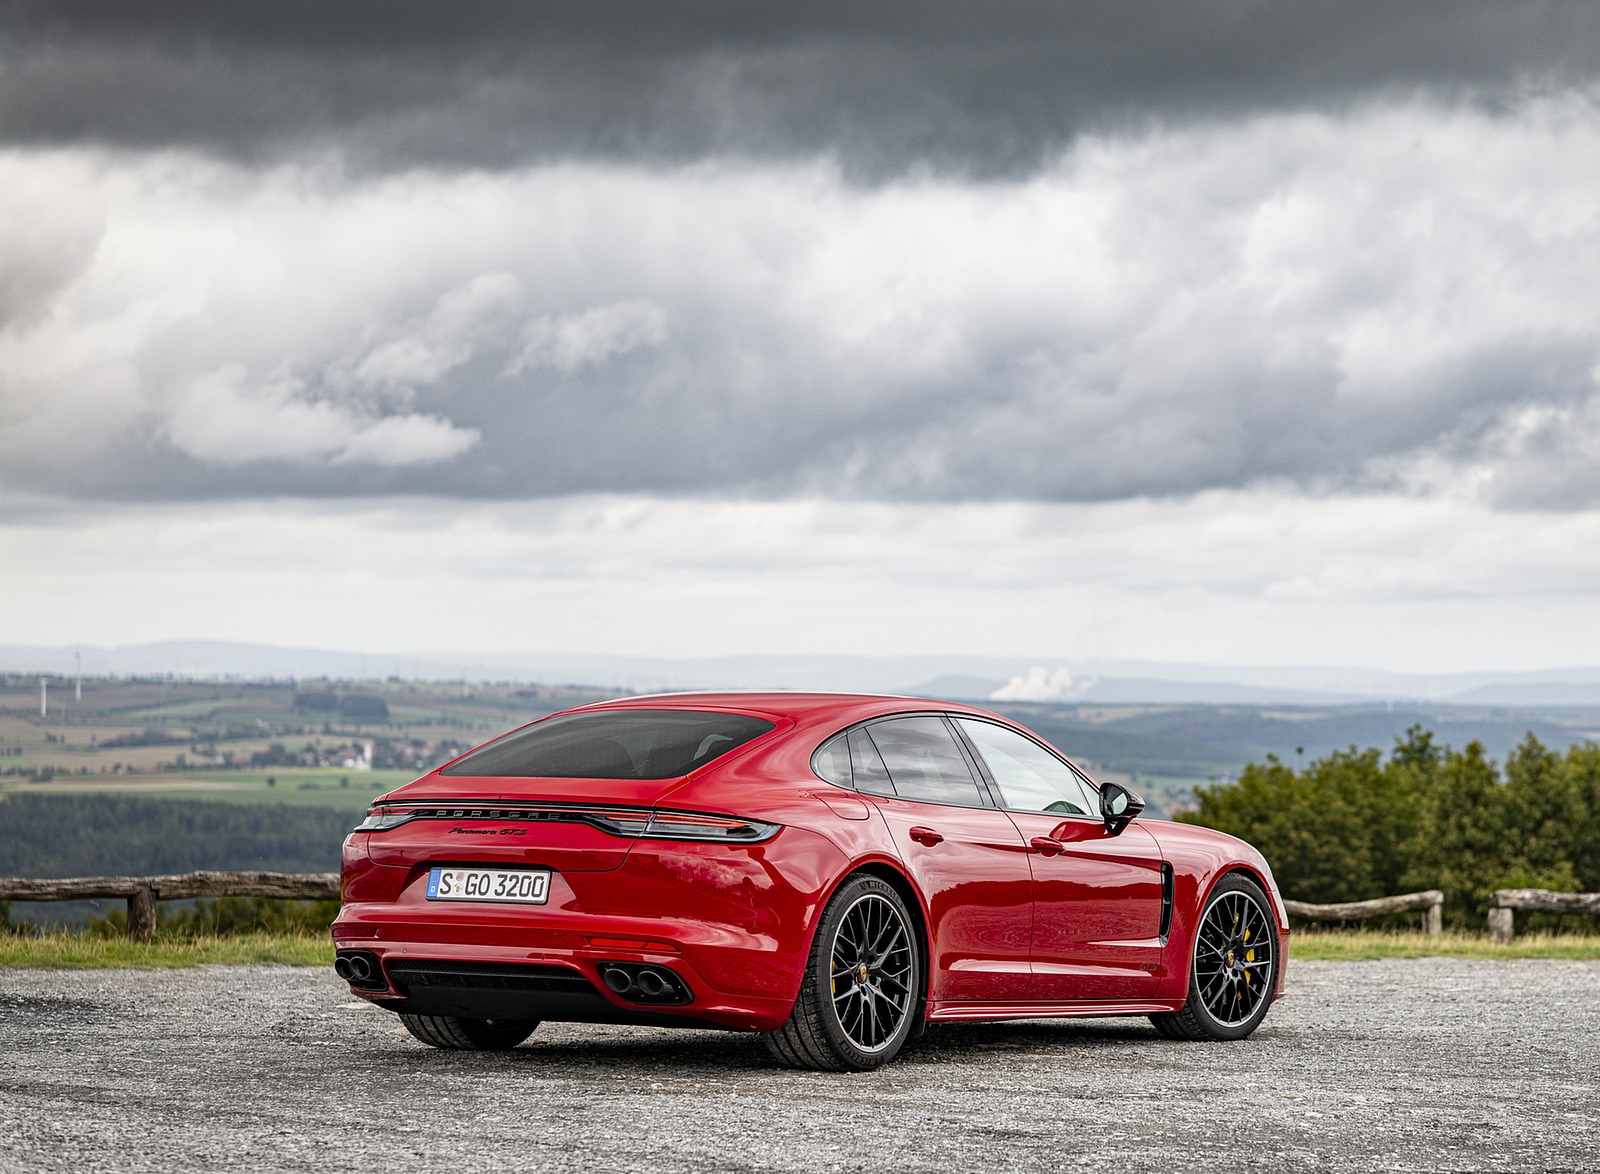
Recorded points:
(1233, 332)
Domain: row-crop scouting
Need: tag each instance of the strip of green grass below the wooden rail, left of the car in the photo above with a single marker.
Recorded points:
(60, 951)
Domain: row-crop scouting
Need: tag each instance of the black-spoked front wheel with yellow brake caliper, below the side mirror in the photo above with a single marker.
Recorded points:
(1230, 983)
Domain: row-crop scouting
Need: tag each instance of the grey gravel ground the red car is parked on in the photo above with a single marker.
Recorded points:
(1434, 1064)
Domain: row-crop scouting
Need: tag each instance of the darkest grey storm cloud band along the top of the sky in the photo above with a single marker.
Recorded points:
(961, 89)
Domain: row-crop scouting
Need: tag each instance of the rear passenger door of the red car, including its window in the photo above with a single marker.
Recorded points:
(967, 858)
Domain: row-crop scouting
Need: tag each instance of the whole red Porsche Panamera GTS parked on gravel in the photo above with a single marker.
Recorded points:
(833, 871)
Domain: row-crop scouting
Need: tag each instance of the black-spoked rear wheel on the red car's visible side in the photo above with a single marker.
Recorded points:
(863, 984)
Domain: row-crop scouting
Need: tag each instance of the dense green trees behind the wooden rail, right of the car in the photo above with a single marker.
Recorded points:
(1359, 825)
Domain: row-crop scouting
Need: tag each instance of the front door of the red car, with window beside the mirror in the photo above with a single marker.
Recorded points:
(1097, 896)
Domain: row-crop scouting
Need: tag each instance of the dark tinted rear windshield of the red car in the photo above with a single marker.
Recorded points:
(614, 745)
